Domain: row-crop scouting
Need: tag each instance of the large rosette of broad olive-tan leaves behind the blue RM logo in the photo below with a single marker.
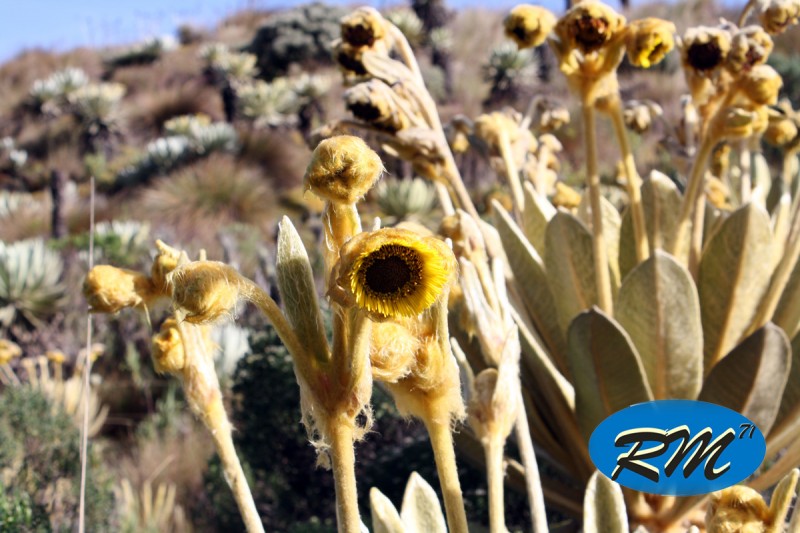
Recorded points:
(727, 334)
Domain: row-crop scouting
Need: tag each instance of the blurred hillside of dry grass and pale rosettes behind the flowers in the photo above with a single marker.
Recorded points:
(201, 140)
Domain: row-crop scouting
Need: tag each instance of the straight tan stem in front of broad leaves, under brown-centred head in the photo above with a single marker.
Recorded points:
(601, 271)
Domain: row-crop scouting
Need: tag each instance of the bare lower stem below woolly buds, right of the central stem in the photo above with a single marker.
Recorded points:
(444, 454)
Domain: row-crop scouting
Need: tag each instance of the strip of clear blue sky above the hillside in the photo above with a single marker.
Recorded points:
(64, 24)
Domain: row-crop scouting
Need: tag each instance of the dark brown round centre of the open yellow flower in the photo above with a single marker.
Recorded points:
(392, 270)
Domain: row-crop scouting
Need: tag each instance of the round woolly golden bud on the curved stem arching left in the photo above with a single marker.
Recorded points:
(205, 291)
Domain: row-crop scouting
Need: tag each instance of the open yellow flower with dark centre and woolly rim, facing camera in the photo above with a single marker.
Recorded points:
(395, 272)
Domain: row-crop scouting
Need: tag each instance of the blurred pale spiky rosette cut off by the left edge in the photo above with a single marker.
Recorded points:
(30, 282)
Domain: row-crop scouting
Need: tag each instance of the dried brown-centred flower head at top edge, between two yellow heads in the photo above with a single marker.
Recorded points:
(589, 26)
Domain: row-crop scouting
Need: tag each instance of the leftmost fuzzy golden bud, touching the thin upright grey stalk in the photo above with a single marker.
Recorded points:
(110, 289)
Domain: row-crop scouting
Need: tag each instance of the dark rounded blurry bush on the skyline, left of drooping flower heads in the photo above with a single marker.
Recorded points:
(296, 36)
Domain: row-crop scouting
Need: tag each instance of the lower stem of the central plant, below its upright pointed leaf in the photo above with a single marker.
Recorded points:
(343, 462)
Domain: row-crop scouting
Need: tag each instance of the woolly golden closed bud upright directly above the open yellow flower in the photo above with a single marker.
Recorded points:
(342, 169)
